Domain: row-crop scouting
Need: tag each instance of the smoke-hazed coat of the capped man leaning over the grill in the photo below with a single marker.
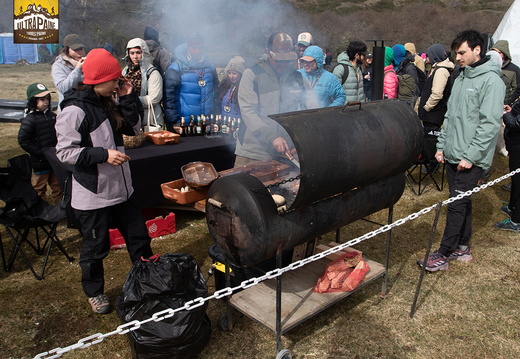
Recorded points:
(262, 93)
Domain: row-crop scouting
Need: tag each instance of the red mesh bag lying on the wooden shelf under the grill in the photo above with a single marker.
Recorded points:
(343, 274)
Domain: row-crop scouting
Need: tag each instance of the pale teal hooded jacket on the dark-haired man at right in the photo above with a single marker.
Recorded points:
(474, 115)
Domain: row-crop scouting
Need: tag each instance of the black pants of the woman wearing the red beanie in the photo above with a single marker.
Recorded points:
(94, 225)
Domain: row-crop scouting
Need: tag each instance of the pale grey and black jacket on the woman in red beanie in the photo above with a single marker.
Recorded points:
(85, 134)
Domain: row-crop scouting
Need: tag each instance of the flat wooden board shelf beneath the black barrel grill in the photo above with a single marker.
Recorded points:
(299, 302)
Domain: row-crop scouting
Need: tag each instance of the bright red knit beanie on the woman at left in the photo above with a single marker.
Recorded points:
(100, 66)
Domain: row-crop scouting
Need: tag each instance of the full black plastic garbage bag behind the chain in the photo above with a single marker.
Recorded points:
(157, 284)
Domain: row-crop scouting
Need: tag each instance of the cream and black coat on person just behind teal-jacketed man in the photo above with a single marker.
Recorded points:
(434, 97)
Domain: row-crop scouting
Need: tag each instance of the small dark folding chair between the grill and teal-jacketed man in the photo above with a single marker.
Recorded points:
(420, 175)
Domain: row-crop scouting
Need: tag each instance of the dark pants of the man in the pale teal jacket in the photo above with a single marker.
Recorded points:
(459, 217)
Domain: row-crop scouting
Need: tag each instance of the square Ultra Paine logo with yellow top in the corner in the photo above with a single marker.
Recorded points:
(36, 23)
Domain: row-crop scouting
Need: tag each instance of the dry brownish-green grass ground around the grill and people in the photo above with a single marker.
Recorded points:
(470, 311)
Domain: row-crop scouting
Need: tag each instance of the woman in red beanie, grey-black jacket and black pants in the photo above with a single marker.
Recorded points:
(89, 130)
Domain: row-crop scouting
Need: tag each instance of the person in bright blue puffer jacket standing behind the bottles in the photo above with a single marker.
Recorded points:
(190, 83)
